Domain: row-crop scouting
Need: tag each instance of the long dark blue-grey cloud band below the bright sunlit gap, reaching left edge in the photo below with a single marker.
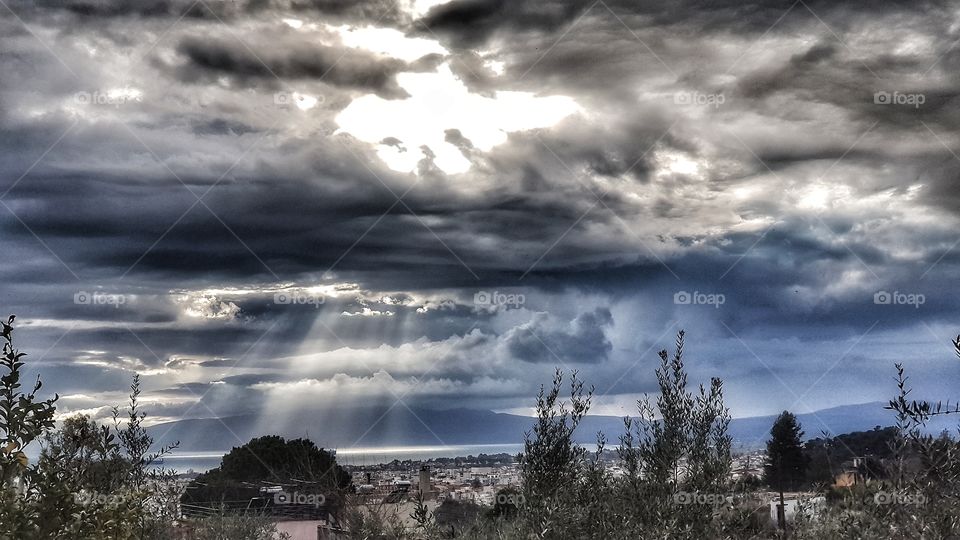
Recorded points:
(314, 232)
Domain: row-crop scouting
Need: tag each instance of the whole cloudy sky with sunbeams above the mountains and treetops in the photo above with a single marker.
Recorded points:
(276, 206)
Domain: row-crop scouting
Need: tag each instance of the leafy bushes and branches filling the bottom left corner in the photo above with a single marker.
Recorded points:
(91, 481)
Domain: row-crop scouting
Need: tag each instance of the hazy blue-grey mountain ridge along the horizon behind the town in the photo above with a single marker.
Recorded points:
(400, 426)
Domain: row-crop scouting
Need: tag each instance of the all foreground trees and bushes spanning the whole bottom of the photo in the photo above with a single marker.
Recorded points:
(96, 481)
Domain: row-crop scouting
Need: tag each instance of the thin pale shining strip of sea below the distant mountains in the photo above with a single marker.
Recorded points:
(186, 461)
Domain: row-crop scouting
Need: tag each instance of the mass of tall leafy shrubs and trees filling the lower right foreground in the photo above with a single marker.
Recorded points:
(675, 482)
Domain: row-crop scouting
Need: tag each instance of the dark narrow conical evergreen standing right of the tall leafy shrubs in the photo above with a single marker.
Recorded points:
(786, 464)
